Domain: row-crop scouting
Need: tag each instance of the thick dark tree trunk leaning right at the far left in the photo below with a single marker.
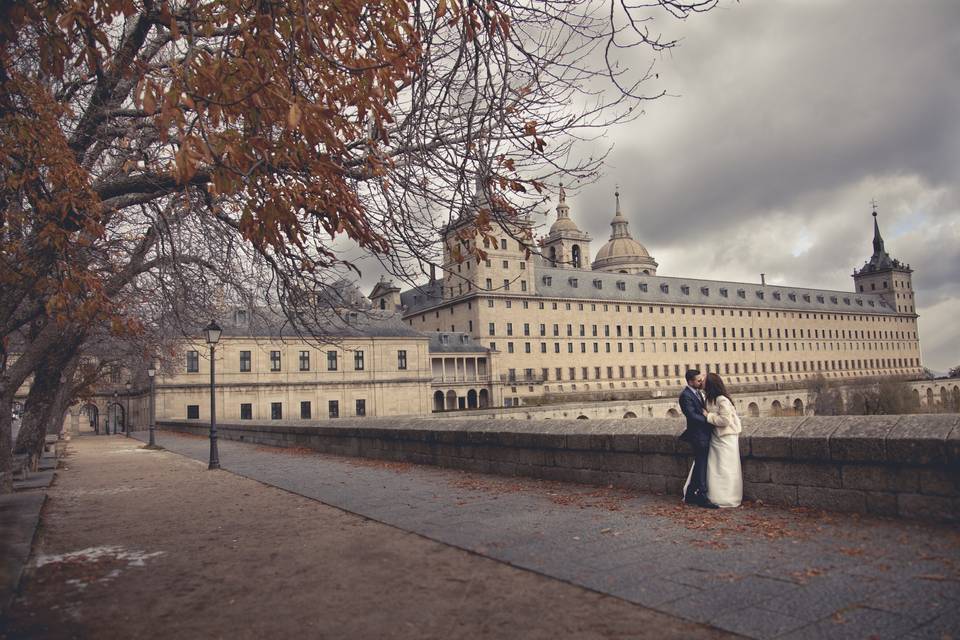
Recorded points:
(47, 401)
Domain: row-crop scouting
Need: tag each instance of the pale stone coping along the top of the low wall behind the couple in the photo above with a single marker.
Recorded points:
(922, 439)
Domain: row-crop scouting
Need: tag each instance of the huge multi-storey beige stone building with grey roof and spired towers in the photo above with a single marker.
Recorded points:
(559, 329)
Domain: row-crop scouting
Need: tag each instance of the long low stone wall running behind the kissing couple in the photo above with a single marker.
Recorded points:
(907, 466)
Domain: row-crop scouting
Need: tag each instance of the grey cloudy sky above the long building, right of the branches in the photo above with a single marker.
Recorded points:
(789, 117)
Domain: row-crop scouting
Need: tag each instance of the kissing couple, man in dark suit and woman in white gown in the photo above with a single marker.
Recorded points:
(713, 431)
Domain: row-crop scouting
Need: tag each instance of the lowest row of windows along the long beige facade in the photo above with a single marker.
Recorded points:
(730, 368)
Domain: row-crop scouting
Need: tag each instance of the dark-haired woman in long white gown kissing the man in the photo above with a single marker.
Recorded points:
(724, 478)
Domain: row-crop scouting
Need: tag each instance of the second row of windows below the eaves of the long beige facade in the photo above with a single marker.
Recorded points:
(830, 334)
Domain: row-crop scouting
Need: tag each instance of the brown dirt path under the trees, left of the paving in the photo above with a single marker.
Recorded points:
(140, 544)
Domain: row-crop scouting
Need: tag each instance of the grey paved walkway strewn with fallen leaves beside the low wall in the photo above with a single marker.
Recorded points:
(759, 571)
